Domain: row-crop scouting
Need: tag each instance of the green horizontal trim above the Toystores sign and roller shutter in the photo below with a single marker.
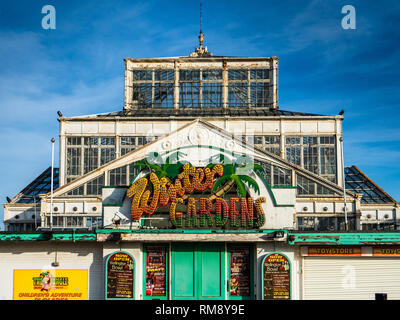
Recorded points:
(345, 238)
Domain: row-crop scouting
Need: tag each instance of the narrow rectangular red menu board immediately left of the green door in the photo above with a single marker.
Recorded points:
(156, 284)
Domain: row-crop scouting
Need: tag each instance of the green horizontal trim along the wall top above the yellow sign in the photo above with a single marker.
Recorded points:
(48, 236)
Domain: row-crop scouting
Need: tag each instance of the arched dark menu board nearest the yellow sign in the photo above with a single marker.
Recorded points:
(120, 276)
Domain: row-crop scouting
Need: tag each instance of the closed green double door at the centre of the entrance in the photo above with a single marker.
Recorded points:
(198, 271)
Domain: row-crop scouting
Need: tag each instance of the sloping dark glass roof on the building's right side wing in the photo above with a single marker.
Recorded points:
(358, 182)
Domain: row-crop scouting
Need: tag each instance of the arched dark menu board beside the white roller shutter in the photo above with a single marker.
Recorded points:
(276, 277)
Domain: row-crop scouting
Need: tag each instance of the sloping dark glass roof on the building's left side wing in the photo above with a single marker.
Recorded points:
(42, 184)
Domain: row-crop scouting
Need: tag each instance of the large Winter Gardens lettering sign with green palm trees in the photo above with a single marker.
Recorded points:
(204, 192)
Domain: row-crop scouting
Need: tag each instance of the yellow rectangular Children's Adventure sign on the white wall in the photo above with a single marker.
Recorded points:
(50, 284)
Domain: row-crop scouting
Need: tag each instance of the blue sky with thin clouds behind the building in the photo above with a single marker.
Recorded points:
(78, 68)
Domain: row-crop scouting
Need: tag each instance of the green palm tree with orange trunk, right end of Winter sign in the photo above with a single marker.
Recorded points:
(236, 173)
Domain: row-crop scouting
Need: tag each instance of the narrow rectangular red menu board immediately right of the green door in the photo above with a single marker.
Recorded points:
(240, 271)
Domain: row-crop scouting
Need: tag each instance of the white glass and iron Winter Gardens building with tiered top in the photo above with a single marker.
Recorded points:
(199, 171)
